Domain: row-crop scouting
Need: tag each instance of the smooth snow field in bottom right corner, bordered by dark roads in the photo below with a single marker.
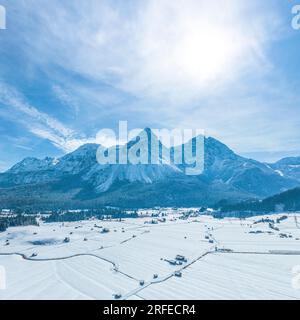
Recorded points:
(231, 276)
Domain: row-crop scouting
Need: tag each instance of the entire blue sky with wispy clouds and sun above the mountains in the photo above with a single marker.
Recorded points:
(71, 68)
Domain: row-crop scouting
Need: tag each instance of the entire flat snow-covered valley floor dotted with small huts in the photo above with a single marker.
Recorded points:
(93, 265)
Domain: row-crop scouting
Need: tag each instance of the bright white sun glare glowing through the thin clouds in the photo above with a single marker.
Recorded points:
(188, 51)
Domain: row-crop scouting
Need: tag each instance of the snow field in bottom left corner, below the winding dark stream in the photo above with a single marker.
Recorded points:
(76, 278)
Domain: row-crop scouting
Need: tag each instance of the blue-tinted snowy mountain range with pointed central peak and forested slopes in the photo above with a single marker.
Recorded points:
(77, 180)
